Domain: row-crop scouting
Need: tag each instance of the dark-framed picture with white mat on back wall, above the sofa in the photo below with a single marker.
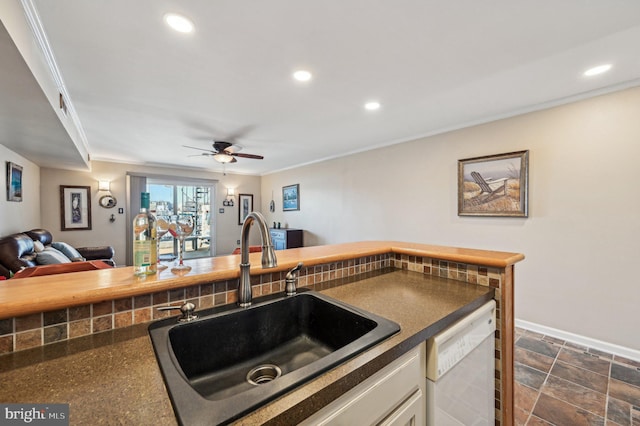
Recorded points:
(75, 208)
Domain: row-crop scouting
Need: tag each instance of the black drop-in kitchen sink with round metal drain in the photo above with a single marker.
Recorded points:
(232, 360)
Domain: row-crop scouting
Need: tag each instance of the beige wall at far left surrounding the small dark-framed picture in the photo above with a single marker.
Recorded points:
(24, 215)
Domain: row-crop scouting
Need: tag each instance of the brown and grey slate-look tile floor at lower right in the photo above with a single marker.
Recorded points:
(561, 383)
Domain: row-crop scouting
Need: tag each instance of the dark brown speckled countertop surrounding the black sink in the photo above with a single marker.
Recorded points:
(113, 377)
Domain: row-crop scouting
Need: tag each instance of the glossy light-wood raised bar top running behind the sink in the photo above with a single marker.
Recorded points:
(32, 295)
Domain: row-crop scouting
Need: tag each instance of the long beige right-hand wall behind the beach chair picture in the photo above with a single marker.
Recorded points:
(582, 236)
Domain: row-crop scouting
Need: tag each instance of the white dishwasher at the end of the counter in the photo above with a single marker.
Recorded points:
(460, 371)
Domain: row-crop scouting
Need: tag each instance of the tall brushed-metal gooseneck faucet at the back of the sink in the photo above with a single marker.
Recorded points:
(268, 256)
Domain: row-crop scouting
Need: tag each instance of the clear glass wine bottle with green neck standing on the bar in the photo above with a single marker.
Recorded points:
(145, 248)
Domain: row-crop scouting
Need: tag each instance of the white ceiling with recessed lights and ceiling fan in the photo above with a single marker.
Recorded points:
(142, 91)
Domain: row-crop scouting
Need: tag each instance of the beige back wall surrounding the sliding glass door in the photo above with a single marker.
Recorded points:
(106, 233)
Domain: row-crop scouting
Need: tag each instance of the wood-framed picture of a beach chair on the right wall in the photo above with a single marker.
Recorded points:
(494, 185)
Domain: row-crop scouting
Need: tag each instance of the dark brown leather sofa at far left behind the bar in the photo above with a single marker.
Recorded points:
(17, 251)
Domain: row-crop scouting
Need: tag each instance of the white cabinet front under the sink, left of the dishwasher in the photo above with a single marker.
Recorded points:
(392, 396)
